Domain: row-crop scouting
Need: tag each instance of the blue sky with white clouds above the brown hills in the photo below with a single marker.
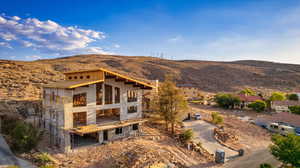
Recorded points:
(217, 30)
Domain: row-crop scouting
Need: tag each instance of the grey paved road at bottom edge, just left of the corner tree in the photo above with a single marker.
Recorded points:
(253, 160)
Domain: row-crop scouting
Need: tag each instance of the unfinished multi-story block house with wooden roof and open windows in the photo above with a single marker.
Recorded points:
(92, 107)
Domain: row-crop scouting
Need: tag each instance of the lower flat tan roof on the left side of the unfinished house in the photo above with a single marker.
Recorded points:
(65, 84)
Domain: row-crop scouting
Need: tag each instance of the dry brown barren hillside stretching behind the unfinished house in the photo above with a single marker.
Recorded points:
(22, 80)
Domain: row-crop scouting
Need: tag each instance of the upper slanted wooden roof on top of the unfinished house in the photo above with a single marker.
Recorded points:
(116, 75)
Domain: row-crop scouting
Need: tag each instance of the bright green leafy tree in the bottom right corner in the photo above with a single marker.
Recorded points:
(286, 149)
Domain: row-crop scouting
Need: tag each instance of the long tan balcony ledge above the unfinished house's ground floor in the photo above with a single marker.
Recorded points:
(95, 128)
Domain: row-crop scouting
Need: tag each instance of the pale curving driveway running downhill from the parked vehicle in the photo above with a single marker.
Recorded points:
(203, 132)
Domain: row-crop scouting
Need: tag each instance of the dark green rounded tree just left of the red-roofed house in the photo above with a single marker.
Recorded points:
(227, 100)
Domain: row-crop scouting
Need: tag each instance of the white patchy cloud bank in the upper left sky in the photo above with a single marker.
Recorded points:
(48, 36)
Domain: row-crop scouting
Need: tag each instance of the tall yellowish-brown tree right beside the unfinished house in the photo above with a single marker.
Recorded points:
(170, 103)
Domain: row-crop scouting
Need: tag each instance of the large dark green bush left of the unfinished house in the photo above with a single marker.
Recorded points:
(24, 137)
